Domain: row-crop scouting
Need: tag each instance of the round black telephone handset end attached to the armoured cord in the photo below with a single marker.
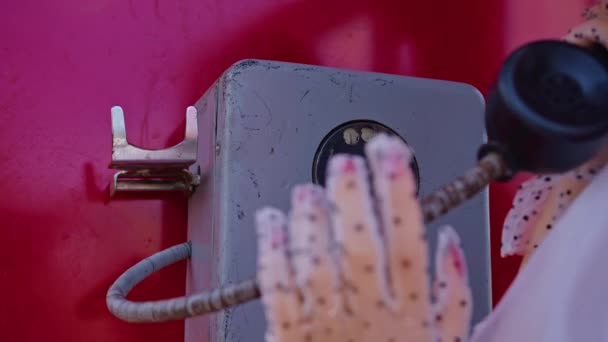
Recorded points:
(548, 110)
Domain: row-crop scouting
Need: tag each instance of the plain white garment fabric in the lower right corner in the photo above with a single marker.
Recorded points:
(562, 293)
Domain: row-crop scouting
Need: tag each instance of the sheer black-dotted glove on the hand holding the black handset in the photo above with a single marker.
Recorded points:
(541, 201)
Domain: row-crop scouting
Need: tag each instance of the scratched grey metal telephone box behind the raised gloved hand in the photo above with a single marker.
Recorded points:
(270, 118)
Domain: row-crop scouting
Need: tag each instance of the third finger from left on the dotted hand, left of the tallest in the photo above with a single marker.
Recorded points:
(356, 232)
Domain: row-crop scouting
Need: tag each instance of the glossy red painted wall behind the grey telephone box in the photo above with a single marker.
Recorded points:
(63, 63)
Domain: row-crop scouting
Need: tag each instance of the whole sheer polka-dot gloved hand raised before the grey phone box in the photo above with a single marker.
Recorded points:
(346, 265)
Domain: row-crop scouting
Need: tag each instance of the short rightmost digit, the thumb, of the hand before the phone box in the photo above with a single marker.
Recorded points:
(453, 307)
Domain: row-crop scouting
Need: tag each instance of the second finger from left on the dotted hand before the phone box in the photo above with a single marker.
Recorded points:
(316, 271)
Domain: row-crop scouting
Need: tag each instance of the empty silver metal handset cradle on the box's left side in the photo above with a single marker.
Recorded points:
(143, 170)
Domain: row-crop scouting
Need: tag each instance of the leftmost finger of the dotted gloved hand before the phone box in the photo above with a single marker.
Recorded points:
(275, 278)
